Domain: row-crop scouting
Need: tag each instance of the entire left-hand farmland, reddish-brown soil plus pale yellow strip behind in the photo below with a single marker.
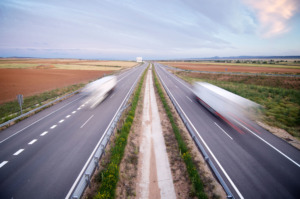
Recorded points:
(33, 76)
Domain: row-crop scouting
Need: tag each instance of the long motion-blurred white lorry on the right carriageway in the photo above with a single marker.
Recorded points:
(223, 103)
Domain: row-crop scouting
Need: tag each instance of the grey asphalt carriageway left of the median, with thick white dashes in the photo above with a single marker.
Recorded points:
(41, 156)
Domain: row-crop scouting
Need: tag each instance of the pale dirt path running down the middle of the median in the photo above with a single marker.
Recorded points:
(154, 173)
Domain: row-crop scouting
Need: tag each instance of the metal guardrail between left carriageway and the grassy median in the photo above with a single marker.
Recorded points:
(93, 162)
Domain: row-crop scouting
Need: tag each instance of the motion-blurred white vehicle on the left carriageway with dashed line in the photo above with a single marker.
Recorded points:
(98, 90)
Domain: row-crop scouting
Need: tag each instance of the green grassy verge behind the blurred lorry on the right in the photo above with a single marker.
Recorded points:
(281, 103)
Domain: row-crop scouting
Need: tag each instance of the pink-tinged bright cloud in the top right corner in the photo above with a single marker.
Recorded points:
(273, 15)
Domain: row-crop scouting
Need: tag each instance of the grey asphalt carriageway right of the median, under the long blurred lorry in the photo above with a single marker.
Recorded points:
(253, 162)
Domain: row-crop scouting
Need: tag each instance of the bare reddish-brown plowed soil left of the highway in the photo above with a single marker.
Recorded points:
(33, 81)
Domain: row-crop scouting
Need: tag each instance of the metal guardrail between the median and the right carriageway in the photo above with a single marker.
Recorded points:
(198, 144)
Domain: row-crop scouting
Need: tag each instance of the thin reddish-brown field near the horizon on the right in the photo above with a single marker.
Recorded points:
(234, 68)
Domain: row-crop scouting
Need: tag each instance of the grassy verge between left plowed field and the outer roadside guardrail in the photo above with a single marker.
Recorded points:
(11, 109)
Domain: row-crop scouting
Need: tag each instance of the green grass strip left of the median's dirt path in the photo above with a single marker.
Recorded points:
(110, 175)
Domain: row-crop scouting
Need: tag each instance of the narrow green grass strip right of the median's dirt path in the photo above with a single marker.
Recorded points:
(186, 155)
